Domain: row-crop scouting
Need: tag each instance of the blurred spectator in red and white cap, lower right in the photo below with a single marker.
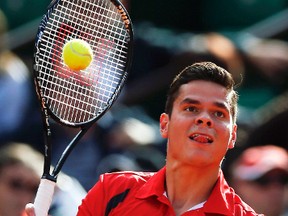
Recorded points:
(260, 176)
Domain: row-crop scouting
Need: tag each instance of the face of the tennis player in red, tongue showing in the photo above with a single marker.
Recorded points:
(200, 128)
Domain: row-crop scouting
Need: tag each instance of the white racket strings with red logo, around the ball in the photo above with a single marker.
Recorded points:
(80, 96)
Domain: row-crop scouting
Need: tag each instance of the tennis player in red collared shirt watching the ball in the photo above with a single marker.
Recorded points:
(199, 124)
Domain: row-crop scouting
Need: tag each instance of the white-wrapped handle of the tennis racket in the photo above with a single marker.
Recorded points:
(44, 197)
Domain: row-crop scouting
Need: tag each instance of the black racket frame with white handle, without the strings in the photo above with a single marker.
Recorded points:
(48, 180)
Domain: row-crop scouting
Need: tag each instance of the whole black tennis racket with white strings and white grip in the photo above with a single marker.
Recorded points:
(78, 98)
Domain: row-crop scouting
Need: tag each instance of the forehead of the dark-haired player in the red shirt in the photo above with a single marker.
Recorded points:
(205, 91)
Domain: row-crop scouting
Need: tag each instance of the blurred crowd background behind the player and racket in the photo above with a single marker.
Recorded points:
(127, 137)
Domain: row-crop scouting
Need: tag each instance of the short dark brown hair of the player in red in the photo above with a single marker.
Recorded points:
(203, 71)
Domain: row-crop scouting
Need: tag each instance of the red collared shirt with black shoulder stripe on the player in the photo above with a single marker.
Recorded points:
(138, 193)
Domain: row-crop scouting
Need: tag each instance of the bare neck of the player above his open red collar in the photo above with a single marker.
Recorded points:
(188, 186)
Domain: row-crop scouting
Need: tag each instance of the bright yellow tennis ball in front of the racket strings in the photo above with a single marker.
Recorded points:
(77, 54)
